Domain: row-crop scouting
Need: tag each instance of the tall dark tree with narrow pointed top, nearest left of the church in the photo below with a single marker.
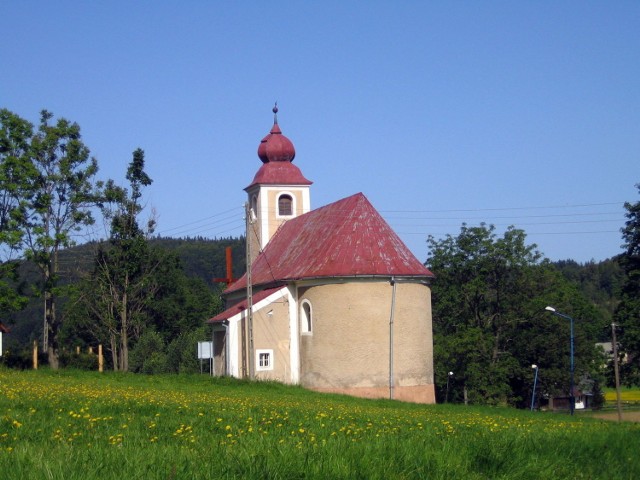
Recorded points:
(124, 280)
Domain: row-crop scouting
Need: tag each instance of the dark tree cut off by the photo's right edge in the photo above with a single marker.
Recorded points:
(627, 314)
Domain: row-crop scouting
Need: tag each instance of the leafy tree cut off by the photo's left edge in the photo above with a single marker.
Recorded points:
(16, 179)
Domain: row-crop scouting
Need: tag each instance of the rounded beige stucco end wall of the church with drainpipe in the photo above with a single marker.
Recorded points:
(348, 350)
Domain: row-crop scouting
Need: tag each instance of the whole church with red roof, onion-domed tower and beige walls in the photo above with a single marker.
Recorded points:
(333, 299)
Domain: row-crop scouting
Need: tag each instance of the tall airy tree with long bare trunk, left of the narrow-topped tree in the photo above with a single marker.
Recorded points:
(63, 193)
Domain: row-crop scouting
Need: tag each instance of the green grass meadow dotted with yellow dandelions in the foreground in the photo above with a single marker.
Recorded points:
(85, 425)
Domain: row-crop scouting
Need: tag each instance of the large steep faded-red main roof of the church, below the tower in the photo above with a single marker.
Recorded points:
(347, 238)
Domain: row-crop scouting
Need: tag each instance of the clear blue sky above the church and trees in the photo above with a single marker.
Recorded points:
(506, 112)
